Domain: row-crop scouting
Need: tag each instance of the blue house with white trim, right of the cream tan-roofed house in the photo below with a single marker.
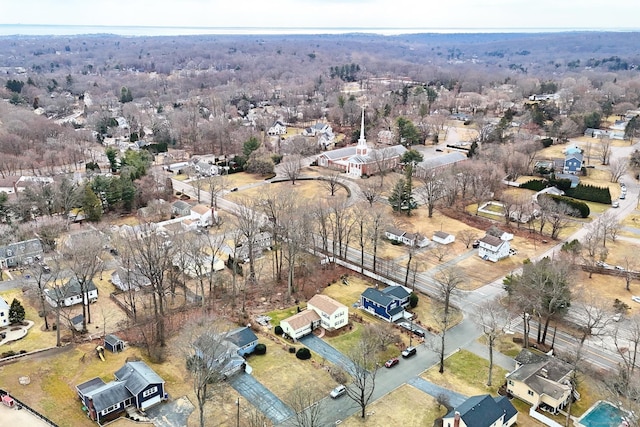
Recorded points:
(388, 304)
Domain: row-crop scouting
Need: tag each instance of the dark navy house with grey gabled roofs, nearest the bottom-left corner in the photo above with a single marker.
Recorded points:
(135, 384)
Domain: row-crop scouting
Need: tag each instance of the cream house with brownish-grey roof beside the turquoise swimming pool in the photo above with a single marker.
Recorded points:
(541, 380)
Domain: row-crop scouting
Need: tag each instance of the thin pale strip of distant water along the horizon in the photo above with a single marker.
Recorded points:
(70, 30)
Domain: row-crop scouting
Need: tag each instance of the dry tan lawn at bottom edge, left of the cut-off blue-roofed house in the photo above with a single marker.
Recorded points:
(404, 406)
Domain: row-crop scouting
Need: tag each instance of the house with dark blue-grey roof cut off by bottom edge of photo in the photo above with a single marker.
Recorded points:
(482, 411)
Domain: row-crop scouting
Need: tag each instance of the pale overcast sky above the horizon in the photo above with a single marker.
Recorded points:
(423, 14)
